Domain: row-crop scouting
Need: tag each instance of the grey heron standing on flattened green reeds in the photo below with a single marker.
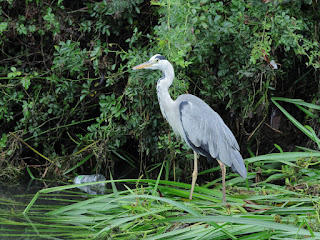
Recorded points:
(202, 128)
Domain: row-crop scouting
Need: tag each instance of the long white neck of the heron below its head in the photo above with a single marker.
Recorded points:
(164, 98)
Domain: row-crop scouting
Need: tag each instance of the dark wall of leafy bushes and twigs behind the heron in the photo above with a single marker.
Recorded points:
(68, 91)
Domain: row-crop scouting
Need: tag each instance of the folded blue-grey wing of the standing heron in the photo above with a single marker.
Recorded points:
(206, 133)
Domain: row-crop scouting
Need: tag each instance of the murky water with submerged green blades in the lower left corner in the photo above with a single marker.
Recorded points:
(37, 224)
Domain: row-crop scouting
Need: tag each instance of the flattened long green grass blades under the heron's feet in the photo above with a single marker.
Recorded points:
(157, 209)
